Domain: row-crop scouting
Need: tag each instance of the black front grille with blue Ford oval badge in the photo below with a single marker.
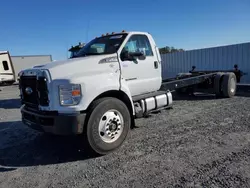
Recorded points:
(34, 91)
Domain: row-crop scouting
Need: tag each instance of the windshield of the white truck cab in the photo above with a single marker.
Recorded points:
(102, 45)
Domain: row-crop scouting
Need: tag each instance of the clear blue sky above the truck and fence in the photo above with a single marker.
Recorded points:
(31, 27)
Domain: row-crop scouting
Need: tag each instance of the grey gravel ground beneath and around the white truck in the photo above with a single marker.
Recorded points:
(201, 142)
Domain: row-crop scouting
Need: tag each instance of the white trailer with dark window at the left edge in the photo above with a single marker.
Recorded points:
(7, 72)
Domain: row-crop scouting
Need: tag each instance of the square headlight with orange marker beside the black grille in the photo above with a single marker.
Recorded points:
(70, 94)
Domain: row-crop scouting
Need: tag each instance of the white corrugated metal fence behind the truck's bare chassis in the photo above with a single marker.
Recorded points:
(217, 58)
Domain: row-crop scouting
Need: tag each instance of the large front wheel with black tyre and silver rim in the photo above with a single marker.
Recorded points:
(108, 125)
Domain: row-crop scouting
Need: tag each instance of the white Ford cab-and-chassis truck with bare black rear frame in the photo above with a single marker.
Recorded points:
(110, 82)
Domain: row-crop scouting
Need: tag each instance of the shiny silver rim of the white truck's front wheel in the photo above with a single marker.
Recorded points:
(111, 126)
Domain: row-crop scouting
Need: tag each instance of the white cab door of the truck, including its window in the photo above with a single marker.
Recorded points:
(142, 76)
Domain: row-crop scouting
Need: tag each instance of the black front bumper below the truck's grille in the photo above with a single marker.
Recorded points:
(53, 122)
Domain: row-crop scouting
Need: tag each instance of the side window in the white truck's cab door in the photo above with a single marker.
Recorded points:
(138, 43)
